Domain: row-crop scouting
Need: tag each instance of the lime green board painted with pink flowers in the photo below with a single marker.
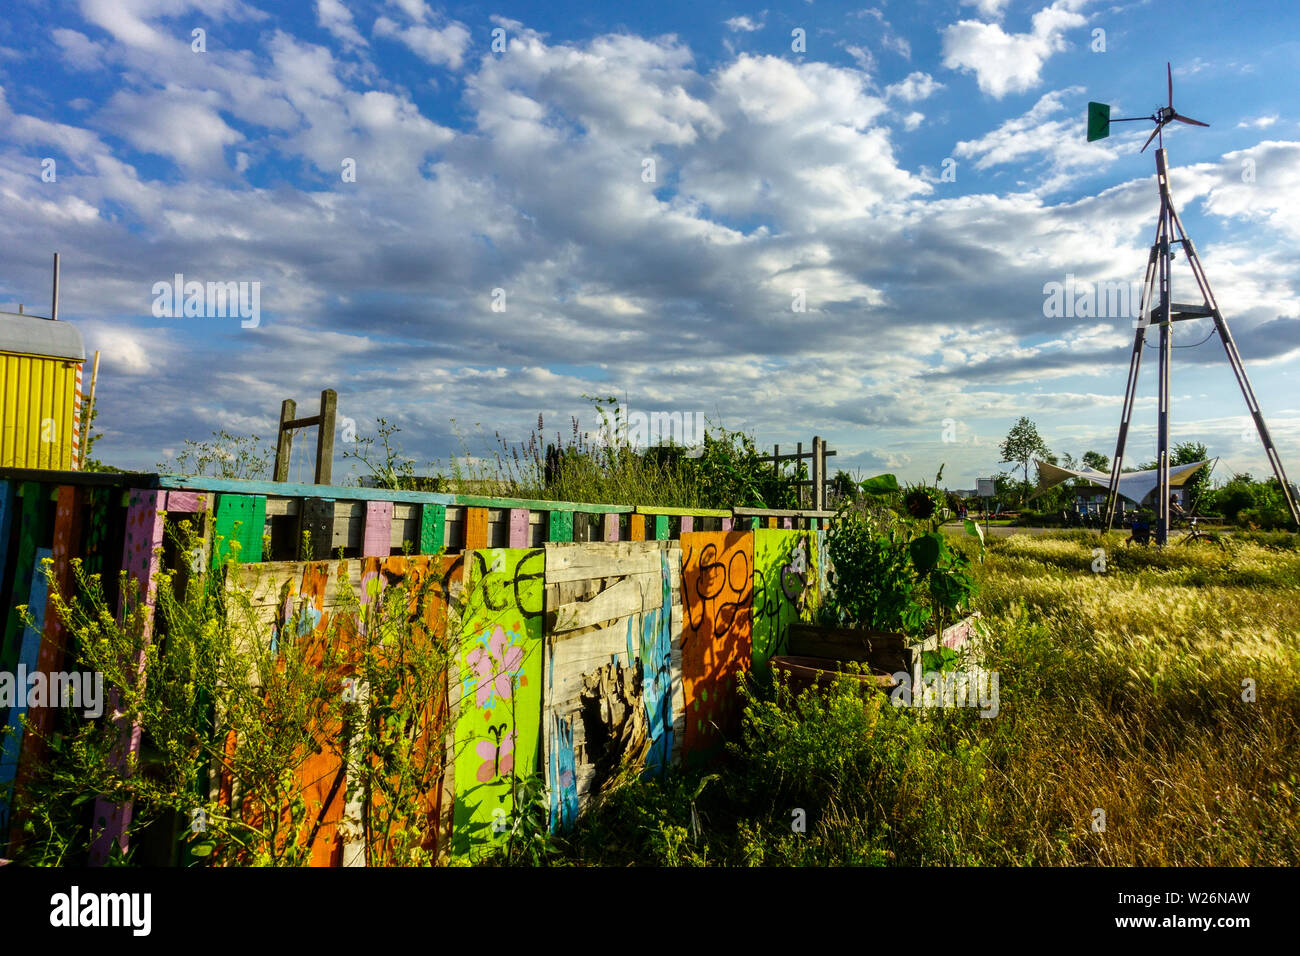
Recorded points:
(497, 693)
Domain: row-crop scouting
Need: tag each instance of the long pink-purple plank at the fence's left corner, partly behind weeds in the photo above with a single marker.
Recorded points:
(141, 561)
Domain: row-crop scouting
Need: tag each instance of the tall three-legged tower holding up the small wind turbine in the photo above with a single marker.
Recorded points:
(1159, 309)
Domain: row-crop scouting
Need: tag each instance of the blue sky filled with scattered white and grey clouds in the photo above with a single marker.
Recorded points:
(651, 192)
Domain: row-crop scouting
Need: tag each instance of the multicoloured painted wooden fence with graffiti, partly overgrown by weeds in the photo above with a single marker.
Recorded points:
(587, 643)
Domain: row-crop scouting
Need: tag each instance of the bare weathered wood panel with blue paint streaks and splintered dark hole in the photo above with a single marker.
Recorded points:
(613, 698)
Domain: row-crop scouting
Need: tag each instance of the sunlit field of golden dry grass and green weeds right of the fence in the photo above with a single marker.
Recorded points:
(1150, 715)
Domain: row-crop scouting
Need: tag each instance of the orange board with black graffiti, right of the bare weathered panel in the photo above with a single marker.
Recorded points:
(717, 637)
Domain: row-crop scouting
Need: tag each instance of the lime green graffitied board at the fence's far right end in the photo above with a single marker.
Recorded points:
(782, 573)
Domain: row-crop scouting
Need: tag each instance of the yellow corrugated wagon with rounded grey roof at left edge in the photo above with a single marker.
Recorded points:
(41, 364)
